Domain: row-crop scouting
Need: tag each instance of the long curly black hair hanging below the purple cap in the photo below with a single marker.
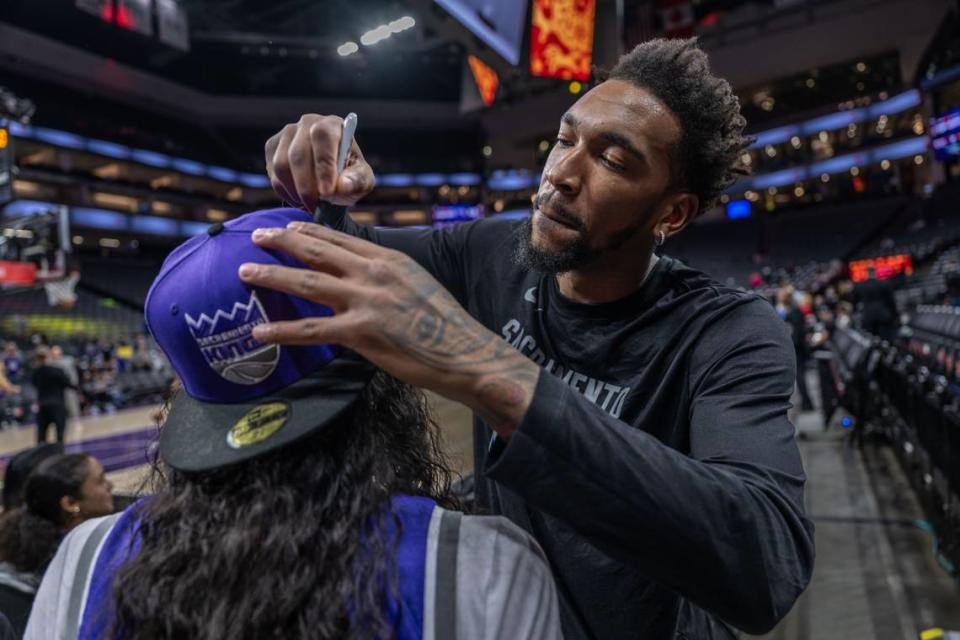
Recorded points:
(293, 544)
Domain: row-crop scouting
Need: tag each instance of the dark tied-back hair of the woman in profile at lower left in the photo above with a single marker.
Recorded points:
(30, 534)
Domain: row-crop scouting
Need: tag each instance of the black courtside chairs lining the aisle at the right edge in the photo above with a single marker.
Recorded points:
(909, 394)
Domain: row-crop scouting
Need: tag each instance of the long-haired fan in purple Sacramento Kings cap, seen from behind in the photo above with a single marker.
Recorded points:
(305, 494)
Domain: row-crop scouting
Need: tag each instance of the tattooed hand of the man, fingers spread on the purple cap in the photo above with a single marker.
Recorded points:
(395, 314)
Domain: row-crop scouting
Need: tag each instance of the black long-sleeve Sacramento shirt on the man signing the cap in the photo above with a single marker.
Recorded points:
(656, 465)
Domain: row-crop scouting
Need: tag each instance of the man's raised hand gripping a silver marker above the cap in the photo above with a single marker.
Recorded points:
(302, 164)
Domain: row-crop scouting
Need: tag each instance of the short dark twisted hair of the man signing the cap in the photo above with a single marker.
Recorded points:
(677, 73)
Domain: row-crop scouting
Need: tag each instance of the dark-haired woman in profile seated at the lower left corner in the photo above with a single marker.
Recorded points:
(62, 492)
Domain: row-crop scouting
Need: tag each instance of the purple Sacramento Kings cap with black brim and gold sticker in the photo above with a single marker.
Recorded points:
(241, 398)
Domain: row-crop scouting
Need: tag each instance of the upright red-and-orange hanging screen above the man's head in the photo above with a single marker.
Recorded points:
(561, 38)
